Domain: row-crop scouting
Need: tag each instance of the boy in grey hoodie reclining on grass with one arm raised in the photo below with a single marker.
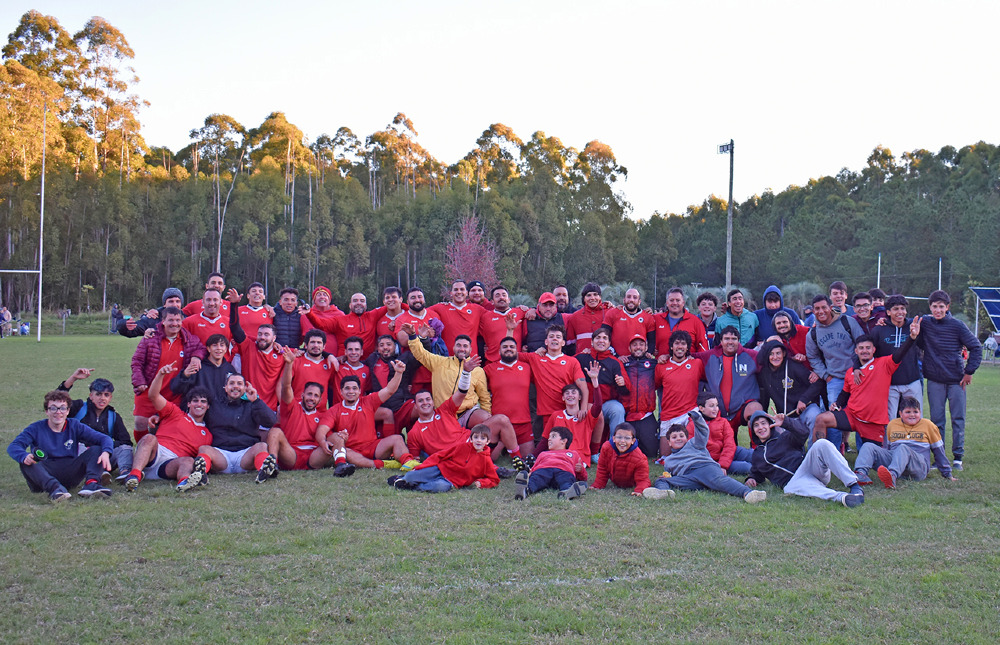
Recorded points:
(689, 466)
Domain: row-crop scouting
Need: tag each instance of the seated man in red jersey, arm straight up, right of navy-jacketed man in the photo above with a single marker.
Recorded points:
(293, 439)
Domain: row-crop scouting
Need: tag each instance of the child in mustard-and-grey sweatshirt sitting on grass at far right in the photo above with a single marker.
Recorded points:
(911, 439)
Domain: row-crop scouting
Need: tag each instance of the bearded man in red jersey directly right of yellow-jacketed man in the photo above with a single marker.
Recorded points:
(510, 381)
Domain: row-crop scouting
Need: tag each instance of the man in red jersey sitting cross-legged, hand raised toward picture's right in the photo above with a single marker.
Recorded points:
(350, 425)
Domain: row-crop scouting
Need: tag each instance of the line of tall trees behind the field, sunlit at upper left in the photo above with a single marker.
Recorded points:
(357, 213)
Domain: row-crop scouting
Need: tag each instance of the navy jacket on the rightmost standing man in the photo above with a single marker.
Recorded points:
(942, 342)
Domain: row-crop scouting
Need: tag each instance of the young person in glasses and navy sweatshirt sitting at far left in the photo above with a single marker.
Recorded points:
(47, 452)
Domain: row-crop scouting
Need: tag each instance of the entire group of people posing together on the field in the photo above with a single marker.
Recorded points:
(444, 393)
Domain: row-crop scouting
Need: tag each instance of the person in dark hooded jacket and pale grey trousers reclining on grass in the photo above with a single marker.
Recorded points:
(778, 457)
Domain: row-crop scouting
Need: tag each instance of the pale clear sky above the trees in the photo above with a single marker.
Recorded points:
(803, 88)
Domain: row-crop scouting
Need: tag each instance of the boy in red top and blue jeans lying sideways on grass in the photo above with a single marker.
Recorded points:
(463, 464)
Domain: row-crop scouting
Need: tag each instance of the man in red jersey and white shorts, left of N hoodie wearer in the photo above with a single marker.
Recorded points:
(679, 377)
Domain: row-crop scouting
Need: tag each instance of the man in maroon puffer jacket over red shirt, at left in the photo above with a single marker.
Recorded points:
(169, 344)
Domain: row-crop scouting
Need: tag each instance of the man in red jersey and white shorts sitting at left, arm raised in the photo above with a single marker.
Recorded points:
(169, 451)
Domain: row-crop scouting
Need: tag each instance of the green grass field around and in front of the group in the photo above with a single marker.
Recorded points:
(310, 558)
